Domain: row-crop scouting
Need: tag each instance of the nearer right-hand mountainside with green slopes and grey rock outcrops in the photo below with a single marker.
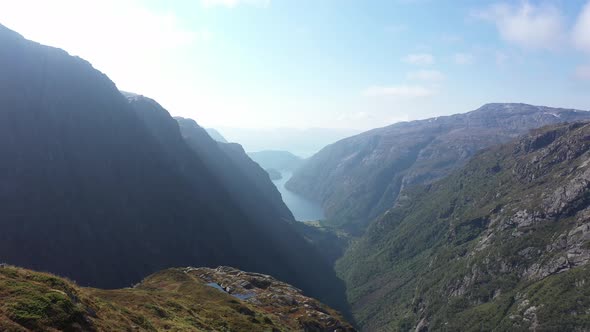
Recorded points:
(501, 244)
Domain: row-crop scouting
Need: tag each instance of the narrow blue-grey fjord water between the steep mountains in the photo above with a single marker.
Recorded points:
(302, 208)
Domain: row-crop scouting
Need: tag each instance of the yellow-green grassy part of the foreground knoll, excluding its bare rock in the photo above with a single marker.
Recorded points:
(171, 300)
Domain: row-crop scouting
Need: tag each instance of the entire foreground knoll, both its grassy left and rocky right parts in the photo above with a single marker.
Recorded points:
(179, 299)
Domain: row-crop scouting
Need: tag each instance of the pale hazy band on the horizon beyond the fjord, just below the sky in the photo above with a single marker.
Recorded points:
(302, 142)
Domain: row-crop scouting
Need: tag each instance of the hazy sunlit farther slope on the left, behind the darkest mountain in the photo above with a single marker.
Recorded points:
(250, 187)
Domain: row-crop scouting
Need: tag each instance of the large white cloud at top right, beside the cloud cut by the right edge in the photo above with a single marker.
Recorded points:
(527, 25)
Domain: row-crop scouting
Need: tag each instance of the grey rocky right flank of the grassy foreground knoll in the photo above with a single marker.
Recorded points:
(287, 302)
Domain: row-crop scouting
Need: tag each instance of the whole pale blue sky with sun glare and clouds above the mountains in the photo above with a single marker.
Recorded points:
(323, 63)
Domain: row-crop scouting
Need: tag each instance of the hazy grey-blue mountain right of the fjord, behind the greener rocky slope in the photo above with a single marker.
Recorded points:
(359, 178)
